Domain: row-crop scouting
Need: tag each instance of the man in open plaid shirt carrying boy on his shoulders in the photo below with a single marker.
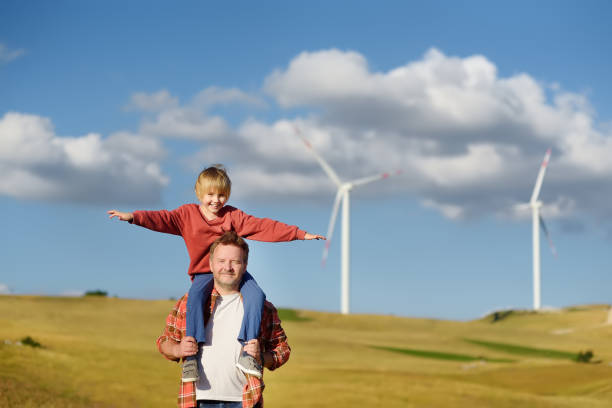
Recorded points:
(220, 383)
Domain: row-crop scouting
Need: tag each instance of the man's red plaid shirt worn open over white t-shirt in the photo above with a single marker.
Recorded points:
(272, 338)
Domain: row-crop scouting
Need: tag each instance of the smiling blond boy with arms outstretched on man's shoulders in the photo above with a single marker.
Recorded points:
(200, 225)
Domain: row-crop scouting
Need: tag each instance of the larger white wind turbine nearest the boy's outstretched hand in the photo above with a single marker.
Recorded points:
(343, 194)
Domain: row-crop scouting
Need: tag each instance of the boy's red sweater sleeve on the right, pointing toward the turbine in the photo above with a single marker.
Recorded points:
(264, 229)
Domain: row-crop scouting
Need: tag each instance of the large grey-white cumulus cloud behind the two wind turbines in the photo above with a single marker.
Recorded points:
(469, 142)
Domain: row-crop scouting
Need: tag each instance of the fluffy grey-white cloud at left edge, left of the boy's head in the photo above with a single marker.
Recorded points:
(35, 163)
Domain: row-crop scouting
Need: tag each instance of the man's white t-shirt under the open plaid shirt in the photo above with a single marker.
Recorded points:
(219, 377)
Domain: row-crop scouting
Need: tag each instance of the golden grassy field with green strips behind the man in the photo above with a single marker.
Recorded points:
(100, 352)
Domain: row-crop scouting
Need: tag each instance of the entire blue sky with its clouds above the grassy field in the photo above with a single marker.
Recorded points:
(120, 104)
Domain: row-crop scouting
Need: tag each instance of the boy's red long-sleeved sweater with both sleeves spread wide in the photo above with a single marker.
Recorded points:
(199, 233)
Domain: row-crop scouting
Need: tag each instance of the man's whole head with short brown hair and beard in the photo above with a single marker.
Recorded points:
(229, 255)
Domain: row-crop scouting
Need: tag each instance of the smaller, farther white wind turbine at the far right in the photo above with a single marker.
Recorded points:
(537, 223)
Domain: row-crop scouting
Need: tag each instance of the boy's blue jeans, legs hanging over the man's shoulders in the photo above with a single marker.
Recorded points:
(252, 298)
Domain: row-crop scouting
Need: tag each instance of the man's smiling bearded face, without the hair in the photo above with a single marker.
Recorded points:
(228, 266)
